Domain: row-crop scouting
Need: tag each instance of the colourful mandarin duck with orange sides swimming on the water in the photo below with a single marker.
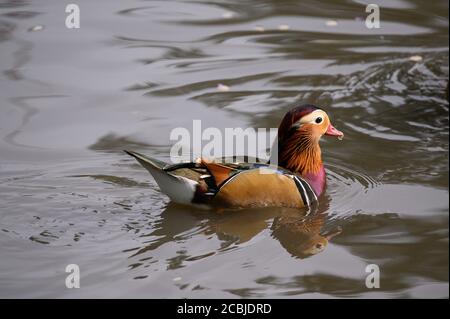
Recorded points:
(297, 181)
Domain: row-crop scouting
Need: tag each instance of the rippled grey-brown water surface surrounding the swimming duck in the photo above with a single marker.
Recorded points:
(71, 100)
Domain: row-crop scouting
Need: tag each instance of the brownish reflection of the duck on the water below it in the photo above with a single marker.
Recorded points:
(301, 232)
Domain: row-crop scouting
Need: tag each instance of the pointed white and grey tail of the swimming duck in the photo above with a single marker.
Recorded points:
(178, 188)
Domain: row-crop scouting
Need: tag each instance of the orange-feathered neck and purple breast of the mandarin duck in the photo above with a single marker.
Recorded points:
(302, 155)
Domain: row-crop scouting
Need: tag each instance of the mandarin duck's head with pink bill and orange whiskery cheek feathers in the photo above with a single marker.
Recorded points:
(298, 138)
